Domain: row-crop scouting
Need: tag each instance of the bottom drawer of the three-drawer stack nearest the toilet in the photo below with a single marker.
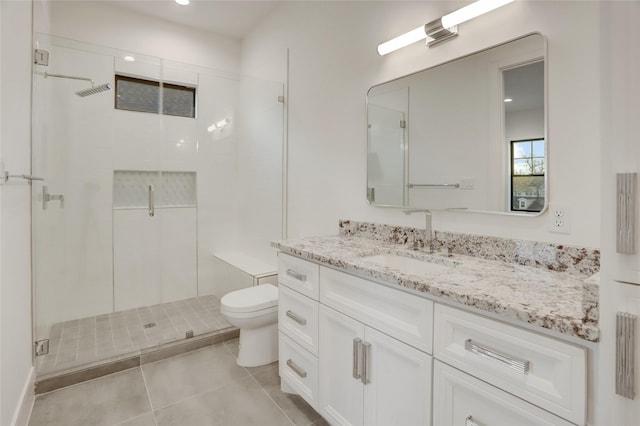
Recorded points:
(298, 371)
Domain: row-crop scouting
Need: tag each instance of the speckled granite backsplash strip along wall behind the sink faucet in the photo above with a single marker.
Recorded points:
(554, 257)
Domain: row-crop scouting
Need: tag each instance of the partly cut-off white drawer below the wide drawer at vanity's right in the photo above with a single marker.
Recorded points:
(459, 399)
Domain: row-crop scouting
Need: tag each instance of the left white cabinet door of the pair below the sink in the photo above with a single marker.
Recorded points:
(340, 394)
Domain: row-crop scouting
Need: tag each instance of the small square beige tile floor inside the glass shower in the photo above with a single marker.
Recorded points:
(87, 340)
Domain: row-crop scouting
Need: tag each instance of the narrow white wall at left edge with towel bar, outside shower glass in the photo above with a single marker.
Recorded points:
(15, 273)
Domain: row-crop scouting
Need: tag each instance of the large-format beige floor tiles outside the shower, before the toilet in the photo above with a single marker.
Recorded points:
(199, 388)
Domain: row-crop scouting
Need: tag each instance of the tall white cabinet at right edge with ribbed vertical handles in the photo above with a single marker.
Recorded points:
(620, 152)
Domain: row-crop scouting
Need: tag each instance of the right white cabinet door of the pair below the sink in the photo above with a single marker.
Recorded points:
(399, 388)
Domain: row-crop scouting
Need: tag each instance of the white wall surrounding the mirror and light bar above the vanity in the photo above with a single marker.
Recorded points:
(335, 62)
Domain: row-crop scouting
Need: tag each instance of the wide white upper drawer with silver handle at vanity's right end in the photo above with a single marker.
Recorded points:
(547, 372)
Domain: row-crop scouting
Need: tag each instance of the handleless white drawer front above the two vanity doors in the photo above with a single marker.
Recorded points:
(406, 317)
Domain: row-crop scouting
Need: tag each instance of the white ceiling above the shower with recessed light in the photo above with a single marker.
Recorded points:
(232, 18)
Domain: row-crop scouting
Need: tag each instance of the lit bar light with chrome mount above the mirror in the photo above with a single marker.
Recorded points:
(442, 28)
